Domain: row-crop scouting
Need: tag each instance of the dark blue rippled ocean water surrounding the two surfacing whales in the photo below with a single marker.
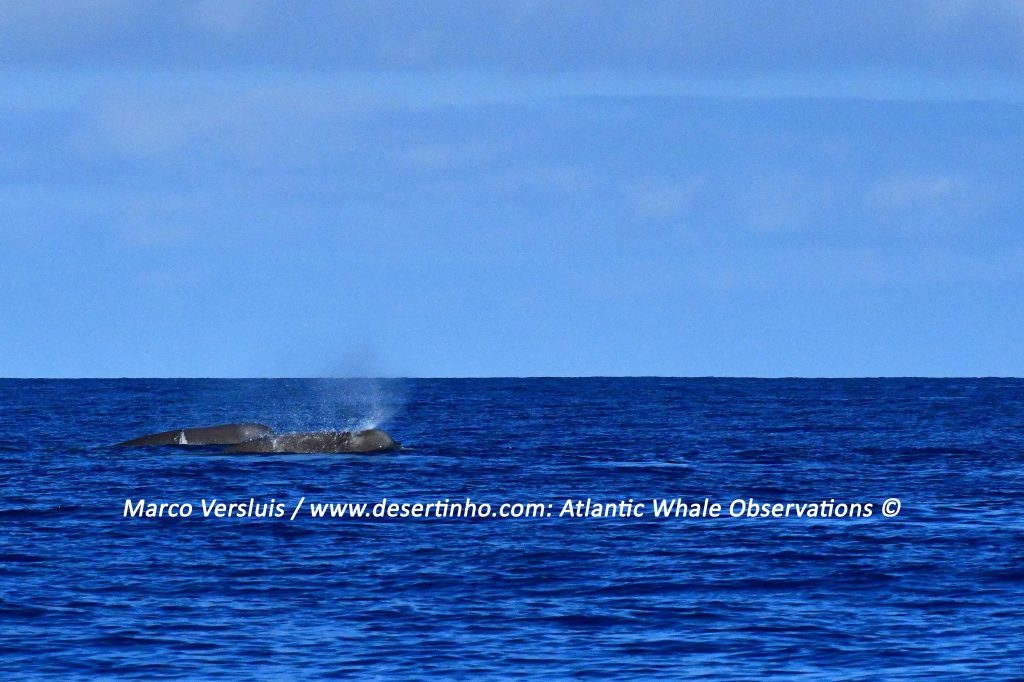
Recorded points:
(936, 591)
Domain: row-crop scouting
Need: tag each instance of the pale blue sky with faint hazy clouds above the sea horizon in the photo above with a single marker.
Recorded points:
(521, 189)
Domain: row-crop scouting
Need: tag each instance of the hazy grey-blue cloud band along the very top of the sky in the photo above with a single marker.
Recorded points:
(694, 37)
